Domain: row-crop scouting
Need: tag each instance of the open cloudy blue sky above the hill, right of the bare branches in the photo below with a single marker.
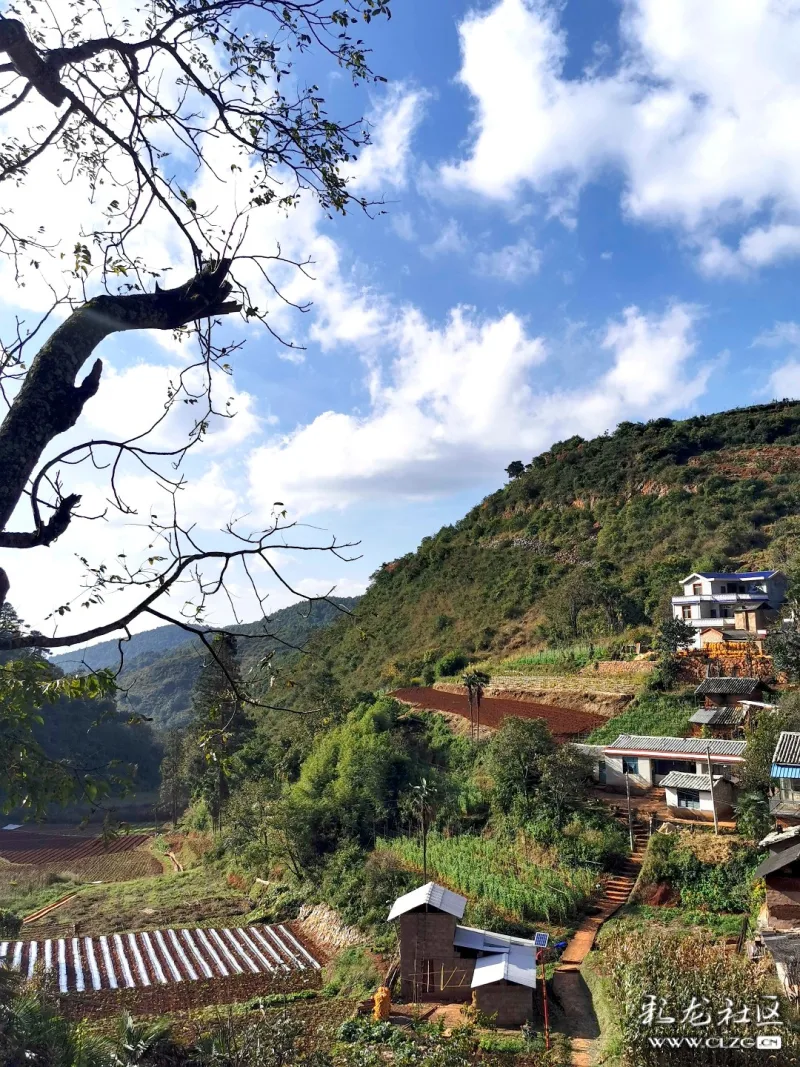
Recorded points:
(593, 214)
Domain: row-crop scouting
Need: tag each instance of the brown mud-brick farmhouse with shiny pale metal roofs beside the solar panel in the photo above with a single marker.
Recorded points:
(442, 961)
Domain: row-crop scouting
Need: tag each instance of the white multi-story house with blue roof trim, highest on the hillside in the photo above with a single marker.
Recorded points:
(734, 606)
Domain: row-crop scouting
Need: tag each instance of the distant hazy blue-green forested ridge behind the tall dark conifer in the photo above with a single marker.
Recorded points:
(159, 672)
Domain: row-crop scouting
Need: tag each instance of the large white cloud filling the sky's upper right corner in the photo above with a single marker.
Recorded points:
(698, 117)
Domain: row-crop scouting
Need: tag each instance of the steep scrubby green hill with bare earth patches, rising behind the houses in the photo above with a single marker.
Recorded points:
(590, 539)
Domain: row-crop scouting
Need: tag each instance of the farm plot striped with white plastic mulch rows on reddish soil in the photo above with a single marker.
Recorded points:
(159, 958)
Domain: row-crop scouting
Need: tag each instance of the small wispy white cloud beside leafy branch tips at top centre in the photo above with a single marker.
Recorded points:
(386, 162)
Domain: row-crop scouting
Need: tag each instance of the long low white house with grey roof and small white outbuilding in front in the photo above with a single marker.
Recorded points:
(678, 766)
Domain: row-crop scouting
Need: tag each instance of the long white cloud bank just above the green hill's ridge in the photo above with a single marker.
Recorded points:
(458, 400)
